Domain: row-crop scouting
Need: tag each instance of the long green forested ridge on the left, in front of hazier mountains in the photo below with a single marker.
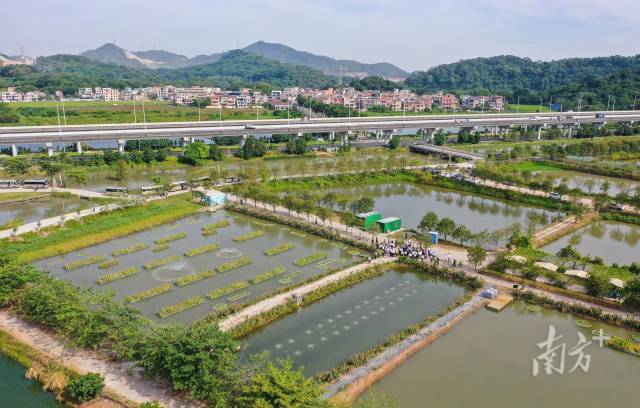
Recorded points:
(233, 70)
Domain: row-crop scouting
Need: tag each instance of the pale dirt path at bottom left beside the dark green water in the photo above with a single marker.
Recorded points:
(120, 378)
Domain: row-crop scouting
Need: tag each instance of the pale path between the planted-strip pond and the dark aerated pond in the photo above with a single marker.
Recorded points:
(281, 299)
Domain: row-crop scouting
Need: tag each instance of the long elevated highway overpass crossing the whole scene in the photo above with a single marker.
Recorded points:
(187, 130)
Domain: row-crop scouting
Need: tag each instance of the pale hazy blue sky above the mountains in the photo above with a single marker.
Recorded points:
(413, 34)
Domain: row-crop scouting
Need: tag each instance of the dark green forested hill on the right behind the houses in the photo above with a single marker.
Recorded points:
(510, 75)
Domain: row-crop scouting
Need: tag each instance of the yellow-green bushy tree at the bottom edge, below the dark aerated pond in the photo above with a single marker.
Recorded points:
(280, 386)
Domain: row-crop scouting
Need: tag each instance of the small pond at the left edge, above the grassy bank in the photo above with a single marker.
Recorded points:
(41, 208)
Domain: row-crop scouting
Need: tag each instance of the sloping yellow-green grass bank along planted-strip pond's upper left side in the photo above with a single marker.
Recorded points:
(100, 228)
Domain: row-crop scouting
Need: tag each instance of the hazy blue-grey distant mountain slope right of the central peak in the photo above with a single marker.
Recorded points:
(288, 55)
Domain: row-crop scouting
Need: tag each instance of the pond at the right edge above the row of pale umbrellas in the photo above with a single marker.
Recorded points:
(614, 242)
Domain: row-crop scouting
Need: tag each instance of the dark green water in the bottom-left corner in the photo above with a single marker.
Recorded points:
(18, 392)
